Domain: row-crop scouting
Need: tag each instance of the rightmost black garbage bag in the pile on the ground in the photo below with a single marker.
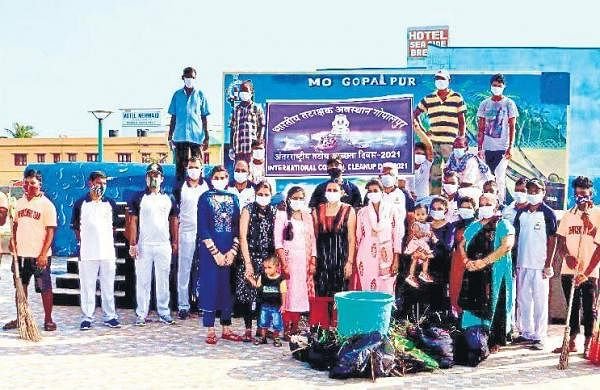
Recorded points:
(471, 346)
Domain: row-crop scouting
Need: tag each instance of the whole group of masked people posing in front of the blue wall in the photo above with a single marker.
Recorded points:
(465, 250)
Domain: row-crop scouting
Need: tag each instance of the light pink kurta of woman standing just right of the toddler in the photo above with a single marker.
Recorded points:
(298, 252)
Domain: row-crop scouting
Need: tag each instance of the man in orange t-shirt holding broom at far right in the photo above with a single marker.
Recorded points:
(579, 246)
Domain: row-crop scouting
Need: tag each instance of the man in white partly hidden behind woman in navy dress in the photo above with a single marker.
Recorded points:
(187, 199)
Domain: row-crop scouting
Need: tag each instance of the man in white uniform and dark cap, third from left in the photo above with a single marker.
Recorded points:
(154, 214)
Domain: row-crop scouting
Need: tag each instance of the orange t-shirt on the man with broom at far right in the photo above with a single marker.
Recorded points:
(571, 227)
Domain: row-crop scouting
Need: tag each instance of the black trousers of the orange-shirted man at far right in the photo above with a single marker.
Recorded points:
(584, 298)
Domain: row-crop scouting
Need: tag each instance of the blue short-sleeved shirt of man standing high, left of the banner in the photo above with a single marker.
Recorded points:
(188, 112)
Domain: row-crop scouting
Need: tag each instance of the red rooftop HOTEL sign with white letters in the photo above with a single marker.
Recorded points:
(419, 37)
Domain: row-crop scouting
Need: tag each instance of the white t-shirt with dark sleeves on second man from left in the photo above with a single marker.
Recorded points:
(95, 223)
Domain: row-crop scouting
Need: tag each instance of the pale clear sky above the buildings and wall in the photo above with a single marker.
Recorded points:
(60, 59)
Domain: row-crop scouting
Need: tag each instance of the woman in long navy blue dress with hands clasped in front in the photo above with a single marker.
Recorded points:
(217, 245)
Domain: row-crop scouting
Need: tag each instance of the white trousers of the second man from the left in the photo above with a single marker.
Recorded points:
(89, 271)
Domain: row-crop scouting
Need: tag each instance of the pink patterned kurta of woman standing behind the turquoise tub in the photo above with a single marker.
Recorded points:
(377, 242)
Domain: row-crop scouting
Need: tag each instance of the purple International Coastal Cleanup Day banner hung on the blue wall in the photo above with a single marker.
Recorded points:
(365, 133)
